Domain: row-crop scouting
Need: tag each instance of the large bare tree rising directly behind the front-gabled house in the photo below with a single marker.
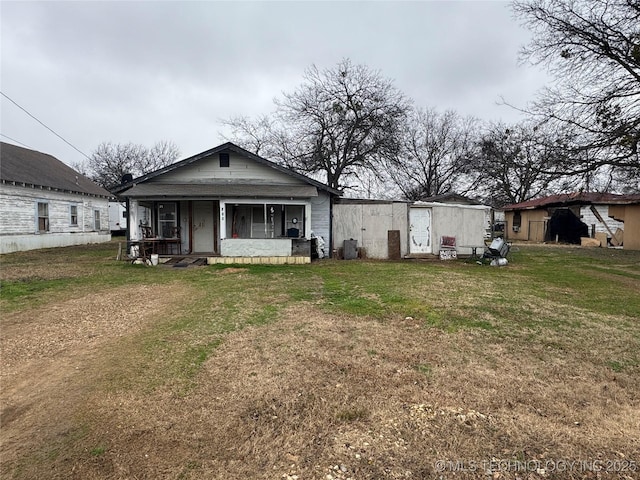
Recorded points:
(340, 122)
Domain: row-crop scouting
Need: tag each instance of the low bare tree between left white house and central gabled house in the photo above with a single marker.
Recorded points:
(110, 162)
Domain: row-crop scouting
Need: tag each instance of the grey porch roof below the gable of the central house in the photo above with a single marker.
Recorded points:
(220, 190)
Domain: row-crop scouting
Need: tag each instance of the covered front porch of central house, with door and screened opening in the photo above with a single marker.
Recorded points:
(230, 228)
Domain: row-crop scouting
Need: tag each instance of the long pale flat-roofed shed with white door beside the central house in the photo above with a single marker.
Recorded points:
(390, 229)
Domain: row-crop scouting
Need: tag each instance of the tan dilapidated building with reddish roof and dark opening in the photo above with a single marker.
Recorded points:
(614, 219)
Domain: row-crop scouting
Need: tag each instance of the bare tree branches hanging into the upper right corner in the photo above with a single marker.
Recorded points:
(592, 47)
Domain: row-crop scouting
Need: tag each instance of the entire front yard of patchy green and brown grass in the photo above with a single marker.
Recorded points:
(334, 370)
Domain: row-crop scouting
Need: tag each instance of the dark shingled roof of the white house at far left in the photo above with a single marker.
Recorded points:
(28, 167)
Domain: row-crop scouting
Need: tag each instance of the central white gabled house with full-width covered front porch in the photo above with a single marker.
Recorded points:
(231, 206)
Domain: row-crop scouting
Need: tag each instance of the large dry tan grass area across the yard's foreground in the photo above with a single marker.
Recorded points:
(317, 395)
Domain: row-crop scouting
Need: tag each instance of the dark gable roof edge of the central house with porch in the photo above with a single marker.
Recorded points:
(225, 147)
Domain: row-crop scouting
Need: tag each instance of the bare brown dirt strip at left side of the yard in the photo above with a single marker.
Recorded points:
(49, 354)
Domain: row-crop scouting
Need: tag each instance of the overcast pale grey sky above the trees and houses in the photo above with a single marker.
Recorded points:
(143, 72)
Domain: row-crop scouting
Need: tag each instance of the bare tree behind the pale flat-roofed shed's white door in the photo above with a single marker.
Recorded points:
(435, 156)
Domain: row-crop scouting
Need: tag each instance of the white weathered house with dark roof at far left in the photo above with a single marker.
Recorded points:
(45, 203)
